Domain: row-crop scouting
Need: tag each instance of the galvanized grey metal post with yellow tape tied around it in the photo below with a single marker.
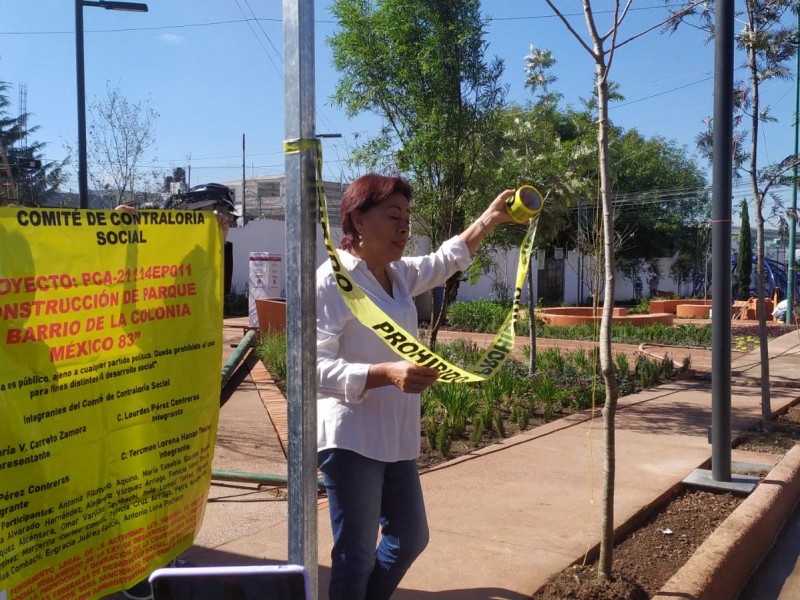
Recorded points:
(301, 338)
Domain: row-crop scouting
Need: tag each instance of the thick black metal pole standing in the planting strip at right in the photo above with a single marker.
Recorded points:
(721, 243)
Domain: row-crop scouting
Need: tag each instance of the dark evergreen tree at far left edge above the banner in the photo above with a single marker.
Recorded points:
(30, 179)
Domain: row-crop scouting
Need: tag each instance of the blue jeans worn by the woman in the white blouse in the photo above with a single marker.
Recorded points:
(363, 495)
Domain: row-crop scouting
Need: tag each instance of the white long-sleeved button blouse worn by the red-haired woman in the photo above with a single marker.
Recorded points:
(380, 423)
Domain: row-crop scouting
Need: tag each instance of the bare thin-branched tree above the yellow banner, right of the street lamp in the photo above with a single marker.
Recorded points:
(119, 134)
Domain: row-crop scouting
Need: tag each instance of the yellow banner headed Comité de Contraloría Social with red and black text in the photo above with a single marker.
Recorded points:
(110, 355)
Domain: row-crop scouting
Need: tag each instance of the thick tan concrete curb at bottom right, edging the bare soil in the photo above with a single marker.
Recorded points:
(723, 564)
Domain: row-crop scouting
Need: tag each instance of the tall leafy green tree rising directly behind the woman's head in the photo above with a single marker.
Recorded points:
(420, 65)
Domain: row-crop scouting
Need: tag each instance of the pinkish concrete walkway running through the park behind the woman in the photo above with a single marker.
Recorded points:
(504, 518)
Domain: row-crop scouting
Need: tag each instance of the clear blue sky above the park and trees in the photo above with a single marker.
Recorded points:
(213, 73)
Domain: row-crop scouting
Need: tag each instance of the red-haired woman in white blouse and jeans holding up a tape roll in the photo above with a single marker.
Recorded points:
(368, 400)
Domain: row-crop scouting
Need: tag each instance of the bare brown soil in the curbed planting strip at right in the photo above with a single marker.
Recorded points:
(646, 558)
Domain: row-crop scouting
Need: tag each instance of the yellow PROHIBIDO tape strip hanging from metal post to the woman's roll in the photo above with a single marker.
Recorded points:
(398, 339)
